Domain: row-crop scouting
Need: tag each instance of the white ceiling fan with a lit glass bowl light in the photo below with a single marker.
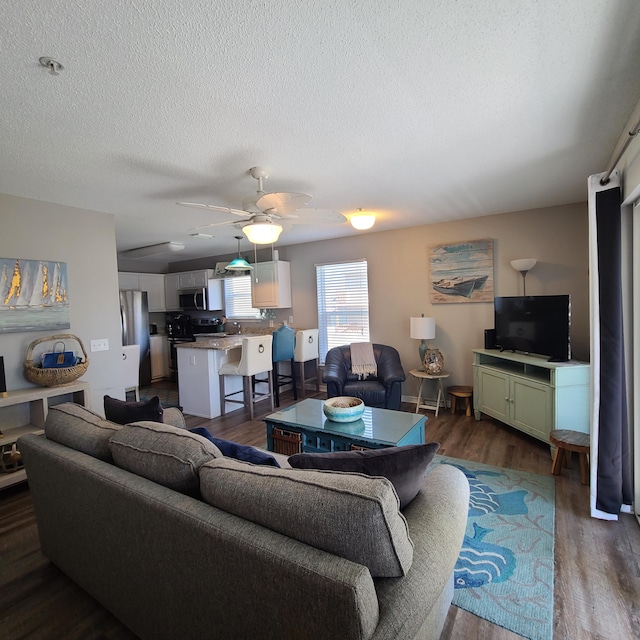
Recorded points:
(264, 213)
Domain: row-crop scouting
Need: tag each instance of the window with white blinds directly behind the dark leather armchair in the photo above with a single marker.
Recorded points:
(343, 304)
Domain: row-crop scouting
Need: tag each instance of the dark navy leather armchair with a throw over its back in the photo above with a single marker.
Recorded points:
(383, 391)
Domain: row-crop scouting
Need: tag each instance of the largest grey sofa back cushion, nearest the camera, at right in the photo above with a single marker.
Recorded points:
(350, 515)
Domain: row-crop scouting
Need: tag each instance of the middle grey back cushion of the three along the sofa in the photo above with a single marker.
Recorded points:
(167, 455)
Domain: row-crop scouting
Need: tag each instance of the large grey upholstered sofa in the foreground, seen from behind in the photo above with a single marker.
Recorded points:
(178, 541)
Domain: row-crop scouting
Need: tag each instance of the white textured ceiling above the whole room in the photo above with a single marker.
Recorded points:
(422, 110)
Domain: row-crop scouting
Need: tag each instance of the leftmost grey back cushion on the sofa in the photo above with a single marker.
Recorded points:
(78, 428)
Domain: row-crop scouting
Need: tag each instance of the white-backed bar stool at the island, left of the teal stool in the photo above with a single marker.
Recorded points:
(255, 357)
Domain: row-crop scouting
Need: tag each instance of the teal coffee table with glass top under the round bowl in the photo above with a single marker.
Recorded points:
(304, 427)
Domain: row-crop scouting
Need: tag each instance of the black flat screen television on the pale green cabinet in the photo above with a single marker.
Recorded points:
(538, 325)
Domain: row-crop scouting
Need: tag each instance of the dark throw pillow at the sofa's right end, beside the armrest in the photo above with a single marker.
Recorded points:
(404, 466)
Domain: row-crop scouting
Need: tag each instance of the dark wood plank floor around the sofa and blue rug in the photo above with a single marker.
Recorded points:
(597, 563)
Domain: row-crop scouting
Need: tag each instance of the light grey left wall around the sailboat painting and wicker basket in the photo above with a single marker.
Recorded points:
(85, 240)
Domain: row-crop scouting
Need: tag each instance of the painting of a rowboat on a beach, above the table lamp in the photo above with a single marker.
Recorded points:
(461, 272)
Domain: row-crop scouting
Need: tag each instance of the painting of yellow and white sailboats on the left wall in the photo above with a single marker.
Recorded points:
(34, 295)
